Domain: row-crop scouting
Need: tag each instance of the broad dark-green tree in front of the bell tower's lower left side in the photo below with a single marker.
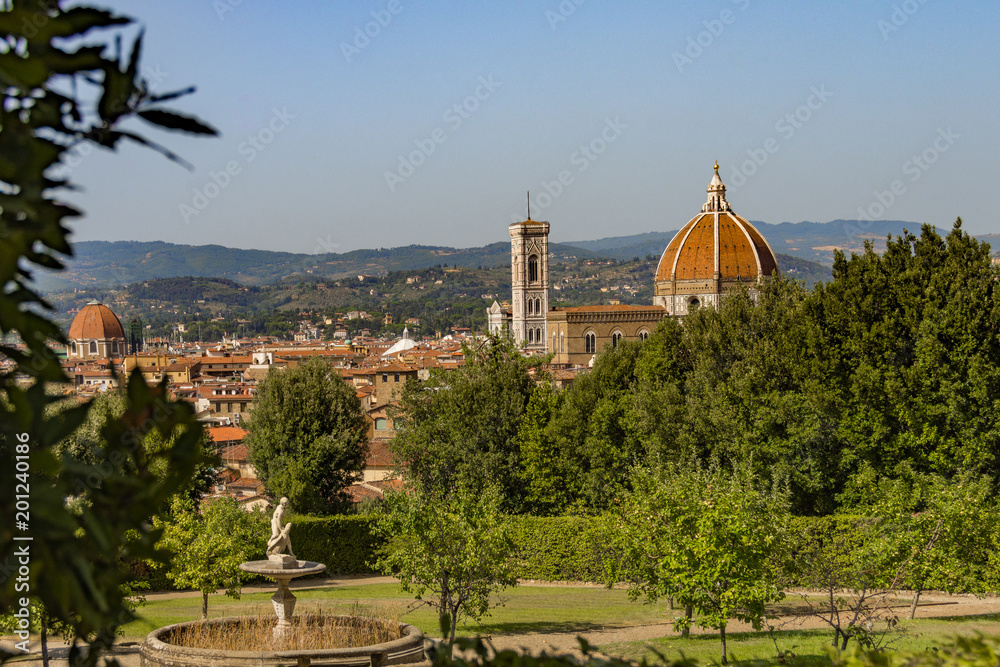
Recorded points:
(461, 427)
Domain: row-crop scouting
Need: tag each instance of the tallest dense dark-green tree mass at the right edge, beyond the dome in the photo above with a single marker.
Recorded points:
(916, 360)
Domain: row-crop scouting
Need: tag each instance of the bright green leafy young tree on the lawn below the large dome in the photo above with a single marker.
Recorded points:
(713, 540)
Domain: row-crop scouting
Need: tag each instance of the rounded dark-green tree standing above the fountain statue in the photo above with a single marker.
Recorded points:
(307, 436)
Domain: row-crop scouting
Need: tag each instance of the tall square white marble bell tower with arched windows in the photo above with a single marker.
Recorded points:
(529, 278)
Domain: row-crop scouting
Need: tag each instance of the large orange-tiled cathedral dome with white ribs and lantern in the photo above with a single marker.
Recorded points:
(714, 252)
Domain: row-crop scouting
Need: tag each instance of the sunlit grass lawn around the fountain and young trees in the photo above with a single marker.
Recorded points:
(564, 610)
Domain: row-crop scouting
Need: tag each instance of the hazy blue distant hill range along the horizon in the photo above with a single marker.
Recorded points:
(106, 265)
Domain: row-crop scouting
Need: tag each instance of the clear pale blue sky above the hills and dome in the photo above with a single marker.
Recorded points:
(351, 125)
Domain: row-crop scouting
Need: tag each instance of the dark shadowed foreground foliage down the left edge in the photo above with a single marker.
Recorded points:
(59, 91)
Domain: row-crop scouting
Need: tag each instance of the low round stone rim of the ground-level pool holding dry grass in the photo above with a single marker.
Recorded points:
(157, 651)
